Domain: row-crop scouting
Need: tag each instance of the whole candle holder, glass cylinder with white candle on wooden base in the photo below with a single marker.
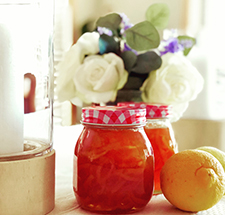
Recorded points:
(27, 157)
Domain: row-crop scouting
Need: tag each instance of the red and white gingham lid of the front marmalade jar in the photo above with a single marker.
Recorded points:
(113, 115)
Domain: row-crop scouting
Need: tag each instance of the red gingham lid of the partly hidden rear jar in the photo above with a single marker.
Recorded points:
(152, 110)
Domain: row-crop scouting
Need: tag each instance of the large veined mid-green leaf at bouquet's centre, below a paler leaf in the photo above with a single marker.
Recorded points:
(142, 36)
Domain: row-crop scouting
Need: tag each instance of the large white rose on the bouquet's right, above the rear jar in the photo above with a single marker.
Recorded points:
(176, 82)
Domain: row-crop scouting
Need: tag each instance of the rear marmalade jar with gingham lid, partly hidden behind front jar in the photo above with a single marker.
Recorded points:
(160, 133)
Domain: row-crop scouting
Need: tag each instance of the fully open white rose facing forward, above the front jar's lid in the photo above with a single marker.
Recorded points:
(100, 77)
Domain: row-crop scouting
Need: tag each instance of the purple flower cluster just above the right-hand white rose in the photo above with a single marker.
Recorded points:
(172, 46)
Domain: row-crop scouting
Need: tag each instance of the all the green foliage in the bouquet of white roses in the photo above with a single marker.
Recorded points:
(142, 37)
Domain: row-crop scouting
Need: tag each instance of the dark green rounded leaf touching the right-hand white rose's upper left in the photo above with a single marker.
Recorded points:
(147, 62)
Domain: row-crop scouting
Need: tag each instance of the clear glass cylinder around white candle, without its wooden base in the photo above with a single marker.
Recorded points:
(26, 78)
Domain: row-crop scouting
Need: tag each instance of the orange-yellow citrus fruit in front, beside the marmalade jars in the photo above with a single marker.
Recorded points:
(192, 180)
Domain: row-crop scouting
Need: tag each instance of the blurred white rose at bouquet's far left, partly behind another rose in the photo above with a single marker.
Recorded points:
(87, 44)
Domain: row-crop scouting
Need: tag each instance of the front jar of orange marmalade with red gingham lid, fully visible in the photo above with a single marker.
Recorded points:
(113, 161)
